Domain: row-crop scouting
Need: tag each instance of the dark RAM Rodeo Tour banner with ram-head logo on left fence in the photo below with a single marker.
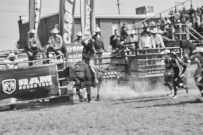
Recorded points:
(28, 83)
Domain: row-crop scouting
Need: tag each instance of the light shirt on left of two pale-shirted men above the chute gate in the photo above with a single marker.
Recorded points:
(146, 42)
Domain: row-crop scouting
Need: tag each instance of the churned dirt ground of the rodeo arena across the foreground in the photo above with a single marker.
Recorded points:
(154, 113)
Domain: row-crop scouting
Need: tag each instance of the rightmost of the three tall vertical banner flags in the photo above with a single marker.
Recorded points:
(87, 17)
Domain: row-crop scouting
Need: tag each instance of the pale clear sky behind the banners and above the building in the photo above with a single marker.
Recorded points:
(10, 10)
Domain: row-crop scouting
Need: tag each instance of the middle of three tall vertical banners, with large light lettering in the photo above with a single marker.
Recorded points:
(66, 20)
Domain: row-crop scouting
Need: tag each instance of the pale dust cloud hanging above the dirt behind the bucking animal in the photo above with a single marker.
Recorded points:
(112, 90)
